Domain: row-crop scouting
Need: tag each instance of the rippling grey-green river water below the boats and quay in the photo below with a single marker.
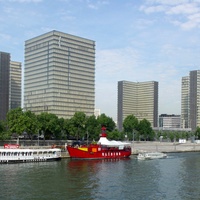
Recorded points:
(176, 177)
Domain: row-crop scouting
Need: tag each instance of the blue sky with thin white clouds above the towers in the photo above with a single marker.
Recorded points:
(136, 40)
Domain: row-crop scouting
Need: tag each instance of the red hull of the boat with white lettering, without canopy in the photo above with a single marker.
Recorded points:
(98, 152)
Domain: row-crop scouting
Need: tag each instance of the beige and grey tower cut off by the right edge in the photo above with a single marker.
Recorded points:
(190, 100)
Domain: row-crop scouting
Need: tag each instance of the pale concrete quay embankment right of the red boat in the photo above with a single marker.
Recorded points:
(166, 147)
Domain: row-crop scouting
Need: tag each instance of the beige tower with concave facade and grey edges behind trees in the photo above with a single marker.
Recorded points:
(139, 99)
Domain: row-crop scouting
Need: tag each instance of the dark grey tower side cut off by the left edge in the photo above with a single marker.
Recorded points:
(4, 84)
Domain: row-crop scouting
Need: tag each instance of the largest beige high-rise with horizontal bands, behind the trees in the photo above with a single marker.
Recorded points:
(59, 74)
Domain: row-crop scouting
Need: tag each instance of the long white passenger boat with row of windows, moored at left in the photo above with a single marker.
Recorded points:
(13, 155)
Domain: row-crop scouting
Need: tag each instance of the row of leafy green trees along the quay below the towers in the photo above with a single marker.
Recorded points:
(78, 127)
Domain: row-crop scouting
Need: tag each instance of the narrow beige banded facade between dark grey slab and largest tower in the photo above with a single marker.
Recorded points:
(15, 85)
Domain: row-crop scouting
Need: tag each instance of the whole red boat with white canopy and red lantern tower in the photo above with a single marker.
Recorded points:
(102, 150)
